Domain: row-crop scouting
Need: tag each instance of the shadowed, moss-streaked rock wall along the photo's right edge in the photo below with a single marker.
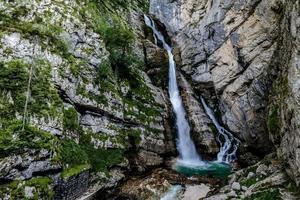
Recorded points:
(284, 108)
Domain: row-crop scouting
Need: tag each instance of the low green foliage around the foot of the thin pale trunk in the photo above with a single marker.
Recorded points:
(13, 140)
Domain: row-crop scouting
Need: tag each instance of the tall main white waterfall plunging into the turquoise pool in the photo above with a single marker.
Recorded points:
(185, 145)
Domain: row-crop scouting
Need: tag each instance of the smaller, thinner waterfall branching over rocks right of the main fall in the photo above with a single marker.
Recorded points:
(230, 145)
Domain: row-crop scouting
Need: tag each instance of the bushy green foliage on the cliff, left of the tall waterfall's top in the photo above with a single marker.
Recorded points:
(116, 35)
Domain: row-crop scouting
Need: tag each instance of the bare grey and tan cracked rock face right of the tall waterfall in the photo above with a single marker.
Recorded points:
(226, 50)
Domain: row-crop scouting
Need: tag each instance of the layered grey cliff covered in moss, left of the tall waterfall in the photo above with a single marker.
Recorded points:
(80, 70)
